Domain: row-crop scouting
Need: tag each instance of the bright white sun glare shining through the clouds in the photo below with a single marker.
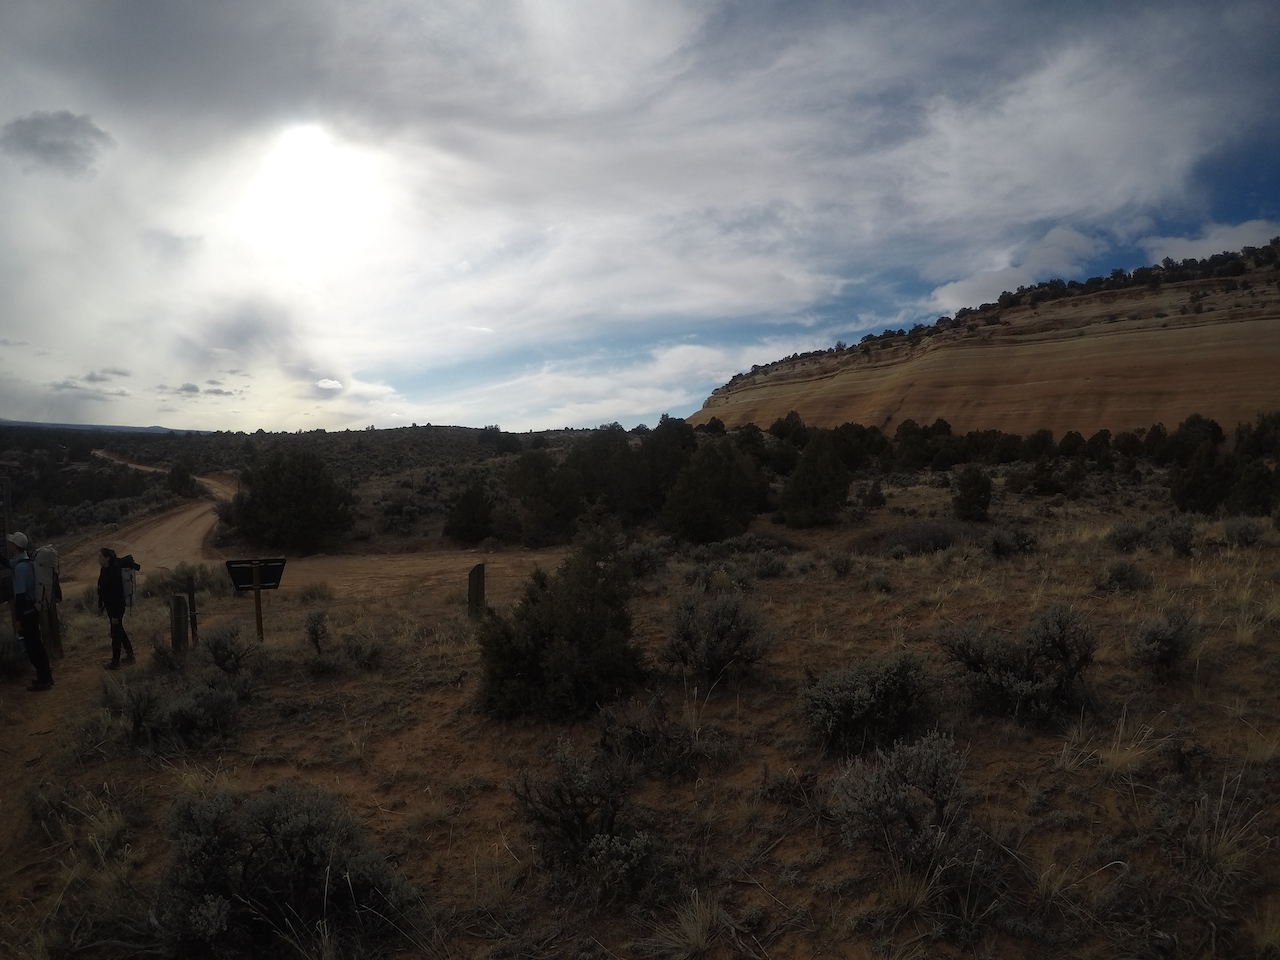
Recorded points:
(313, 202)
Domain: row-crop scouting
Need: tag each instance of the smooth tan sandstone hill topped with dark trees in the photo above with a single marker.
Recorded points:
(1116, 354)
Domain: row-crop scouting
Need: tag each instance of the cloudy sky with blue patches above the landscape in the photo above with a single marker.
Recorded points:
(300, 214)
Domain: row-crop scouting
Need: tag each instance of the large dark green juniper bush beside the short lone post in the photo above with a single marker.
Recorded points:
(568, 646)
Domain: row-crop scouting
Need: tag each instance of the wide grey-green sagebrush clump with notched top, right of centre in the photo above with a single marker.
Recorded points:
(1034, 679)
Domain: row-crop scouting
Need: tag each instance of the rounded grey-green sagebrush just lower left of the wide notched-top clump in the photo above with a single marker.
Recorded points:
(870, 705)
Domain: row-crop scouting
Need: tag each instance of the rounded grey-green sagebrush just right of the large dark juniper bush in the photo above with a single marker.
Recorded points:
(716, 634)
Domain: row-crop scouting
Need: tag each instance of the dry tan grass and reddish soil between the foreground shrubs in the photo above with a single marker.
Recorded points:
(746, 858)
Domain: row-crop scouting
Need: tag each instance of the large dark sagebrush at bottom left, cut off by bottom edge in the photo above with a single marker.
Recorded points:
(252, 876)
